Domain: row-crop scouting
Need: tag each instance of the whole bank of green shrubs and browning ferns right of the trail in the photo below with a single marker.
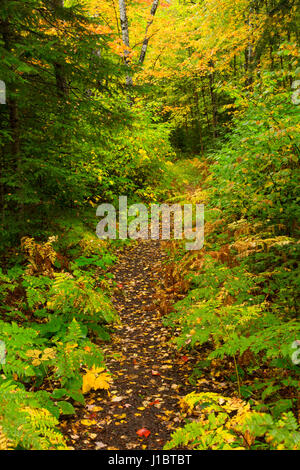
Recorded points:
(236, 300)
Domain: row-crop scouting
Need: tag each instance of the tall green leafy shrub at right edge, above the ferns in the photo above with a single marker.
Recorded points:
(258, 166)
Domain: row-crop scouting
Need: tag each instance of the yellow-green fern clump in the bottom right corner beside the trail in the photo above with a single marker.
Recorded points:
(227, 423)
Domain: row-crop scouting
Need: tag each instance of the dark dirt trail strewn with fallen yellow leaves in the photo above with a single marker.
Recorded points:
(149, 375)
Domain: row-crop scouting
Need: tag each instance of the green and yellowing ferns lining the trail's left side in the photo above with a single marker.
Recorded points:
(51, 345)
